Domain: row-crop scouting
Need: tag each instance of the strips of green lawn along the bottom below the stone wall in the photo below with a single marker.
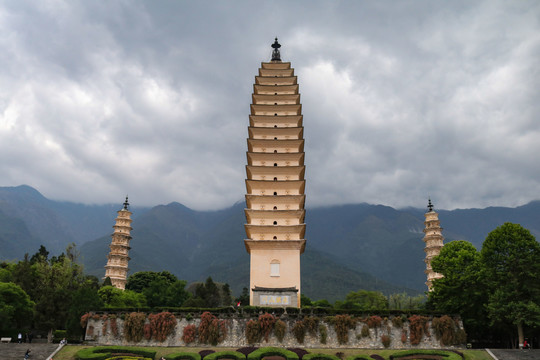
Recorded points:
(68, 352)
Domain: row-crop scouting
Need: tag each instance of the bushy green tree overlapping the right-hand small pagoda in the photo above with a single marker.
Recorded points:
(461, 290)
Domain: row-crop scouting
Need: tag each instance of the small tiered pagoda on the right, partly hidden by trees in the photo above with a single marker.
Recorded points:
(434, 242)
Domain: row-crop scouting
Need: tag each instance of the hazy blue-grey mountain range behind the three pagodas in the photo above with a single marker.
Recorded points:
(349, 247)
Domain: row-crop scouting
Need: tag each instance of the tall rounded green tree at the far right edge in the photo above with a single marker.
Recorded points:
(511, 270)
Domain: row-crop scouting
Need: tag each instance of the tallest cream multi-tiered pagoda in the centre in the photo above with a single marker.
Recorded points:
(275, 186)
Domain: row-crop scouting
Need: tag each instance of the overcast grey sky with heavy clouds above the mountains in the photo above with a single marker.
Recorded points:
(401, 99)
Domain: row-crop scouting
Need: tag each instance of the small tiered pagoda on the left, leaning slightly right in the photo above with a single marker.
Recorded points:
(117, 261)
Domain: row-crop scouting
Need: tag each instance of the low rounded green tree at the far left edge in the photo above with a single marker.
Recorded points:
(16, 308)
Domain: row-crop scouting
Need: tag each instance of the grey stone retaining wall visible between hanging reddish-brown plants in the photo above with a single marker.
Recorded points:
(236, 334)
